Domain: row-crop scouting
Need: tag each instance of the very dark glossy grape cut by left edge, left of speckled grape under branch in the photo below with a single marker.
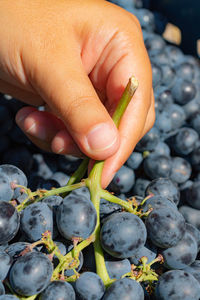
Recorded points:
(9, 222)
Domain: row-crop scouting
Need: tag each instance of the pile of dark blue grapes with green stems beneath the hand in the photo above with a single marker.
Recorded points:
(62, 237)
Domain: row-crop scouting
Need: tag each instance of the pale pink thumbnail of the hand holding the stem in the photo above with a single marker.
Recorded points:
(102, 137)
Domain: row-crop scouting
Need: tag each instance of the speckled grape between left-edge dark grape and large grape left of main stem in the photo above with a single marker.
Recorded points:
(35, 220)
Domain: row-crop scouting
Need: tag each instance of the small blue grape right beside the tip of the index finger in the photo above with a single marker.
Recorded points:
(124, 179)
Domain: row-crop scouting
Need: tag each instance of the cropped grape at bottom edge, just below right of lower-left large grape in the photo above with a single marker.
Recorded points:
(58, 290)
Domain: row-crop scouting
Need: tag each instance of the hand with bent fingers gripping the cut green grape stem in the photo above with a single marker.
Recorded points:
(75, 57)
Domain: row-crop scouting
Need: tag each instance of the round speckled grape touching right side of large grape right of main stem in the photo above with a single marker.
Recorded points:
(165, 227)
